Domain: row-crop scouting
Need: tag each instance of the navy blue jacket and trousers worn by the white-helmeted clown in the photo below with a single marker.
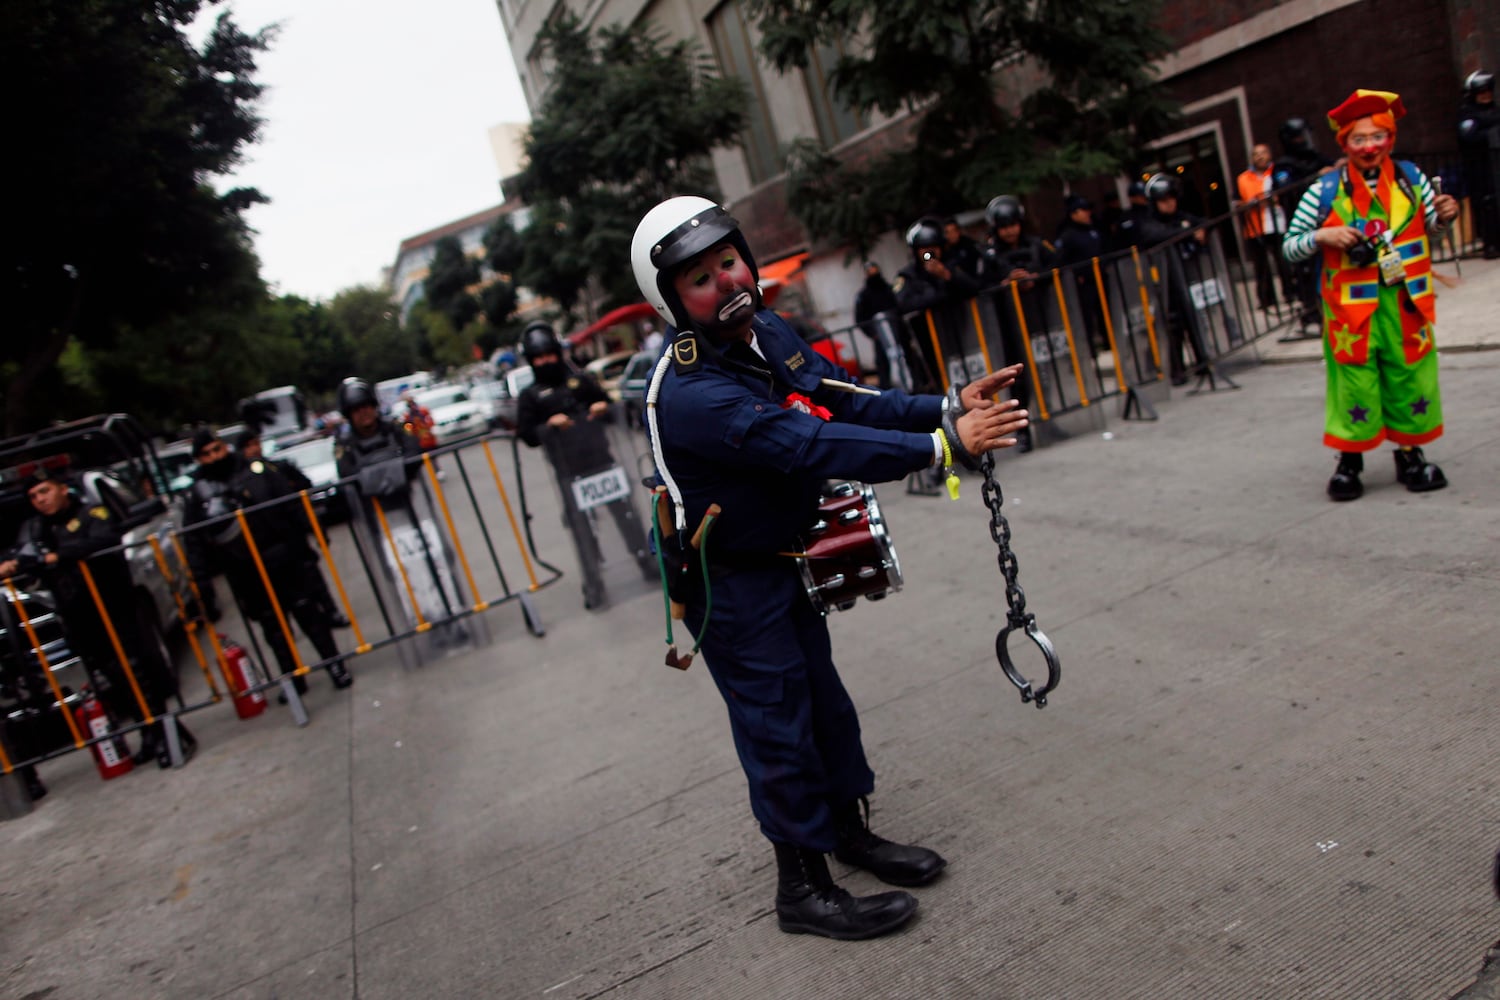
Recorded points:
(730, 440)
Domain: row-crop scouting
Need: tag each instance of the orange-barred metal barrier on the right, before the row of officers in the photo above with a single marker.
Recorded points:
(1114, 326)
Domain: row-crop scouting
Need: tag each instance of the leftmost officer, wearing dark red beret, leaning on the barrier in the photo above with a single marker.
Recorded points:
(52, 546)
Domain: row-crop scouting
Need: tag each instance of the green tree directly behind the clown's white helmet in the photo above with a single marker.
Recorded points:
(629, 121)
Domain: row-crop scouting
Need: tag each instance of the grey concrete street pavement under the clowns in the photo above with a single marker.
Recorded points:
(1273, 768)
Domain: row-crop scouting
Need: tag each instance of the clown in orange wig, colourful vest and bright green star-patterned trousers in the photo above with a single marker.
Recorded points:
(1373, 223)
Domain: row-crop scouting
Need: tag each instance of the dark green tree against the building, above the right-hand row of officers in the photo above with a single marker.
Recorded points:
(1007, 95)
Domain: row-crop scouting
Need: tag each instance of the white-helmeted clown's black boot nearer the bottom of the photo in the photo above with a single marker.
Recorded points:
(808, 902)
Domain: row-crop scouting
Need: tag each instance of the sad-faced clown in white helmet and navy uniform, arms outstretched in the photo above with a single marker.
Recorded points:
(746, 416)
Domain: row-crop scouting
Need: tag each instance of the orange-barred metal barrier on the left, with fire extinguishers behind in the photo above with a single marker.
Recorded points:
(424, 575)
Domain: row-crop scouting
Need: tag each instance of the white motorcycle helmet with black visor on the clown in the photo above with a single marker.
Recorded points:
(673, 233)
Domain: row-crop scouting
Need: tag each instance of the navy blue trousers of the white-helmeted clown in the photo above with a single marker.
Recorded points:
(796, 729)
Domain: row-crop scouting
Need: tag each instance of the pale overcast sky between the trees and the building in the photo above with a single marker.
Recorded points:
(377, 121)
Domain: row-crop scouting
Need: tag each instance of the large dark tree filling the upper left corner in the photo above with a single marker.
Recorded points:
(115, 230)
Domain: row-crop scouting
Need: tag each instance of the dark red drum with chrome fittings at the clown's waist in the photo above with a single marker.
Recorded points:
(850, 552)
